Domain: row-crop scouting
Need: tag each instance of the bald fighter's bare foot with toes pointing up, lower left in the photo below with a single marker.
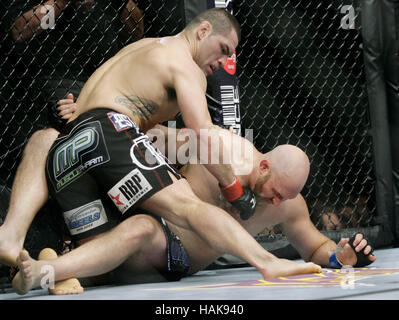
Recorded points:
(27, 278)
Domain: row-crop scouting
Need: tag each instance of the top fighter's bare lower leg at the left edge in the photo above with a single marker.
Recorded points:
(29, 194)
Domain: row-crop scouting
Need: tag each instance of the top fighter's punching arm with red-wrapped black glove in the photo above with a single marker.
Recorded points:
(190, 86)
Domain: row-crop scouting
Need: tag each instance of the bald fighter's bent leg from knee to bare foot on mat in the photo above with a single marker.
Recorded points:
(97, 256)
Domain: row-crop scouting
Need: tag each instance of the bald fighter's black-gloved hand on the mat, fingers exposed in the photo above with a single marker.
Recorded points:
(355, 251)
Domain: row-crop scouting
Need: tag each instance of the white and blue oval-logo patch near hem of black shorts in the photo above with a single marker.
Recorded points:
(86, 217)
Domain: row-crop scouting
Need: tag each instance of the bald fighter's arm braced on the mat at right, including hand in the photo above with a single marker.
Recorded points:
(313, 246)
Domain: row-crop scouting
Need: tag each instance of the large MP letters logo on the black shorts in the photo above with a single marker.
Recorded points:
(67, 154)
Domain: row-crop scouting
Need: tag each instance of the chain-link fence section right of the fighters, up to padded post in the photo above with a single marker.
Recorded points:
(302, 82)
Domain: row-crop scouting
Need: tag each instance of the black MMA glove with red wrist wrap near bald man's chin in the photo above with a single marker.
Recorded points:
(243, 199)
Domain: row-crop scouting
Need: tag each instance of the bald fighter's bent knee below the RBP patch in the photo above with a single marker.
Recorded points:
(139, 228)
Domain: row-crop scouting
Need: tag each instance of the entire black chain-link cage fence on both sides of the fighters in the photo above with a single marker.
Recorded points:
(300, 75)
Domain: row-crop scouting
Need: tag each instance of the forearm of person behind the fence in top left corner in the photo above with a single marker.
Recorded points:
(30, 22)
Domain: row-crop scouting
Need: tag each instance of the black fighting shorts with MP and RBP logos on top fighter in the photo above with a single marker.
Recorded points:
(102, 162)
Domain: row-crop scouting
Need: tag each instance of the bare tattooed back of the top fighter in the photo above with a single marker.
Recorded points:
(138, 81)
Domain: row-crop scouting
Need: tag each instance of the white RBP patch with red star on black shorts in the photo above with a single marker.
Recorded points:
(129, 190)
